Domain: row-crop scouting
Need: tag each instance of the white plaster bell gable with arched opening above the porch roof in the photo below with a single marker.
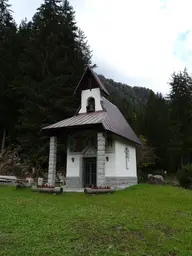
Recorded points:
(85, 94)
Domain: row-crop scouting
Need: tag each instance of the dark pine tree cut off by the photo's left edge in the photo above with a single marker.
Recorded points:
(8, 70)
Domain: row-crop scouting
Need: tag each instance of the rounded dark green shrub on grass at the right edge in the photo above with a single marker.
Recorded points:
(184, 176)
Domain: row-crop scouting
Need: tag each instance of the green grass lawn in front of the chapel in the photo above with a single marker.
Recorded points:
(142, 220)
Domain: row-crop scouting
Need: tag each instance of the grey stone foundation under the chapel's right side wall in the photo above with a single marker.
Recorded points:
(121, 182)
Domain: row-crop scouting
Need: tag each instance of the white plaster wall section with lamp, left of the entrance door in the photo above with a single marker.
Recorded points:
(73, 168)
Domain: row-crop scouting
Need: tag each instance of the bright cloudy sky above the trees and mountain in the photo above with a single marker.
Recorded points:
(137, 42)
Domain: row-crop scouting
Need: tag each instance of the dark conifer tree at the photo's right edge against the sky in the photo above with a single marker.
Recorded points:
(180, 117)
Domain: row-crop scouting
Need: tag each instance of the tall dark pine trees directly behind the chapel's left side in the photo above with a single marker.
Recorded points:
(53, 61)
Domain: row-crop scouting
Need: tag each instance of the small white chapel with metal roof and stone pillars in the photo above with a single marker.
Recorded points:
(101, 146)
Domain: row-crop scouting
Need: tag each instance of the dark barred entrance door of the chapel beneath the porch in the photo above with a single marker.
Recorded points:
(90, 171)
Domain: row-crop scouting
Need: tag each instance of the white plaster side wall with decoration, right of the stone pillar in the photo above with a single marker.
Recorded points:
(120, 160)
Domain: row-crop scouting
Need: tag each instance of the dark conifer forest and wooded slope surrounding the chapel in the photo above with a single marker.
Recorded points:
(41, 62)
